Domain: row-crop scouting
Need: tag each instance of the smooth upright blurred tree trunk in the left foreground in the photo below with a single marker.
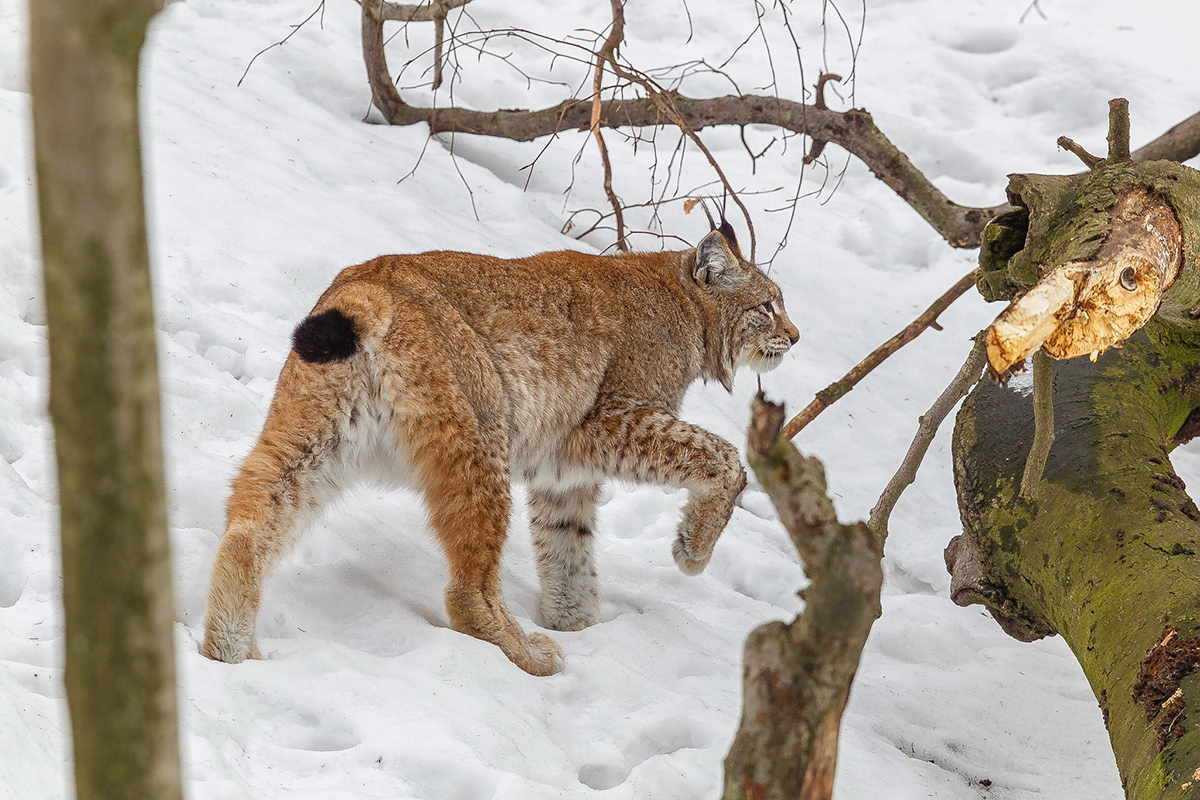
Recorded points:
(105, 396)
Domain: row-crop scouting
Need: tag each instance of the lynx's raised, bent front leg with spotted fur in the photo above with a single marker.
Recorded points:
(653, 447)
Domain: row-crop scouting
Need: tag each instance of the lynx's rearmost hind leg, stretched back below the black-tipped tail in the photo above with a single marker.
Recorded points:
(281, 486)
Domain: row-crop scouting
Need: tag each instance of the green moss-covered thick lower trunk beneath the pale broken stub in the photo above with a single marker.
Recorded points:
(1106, 555)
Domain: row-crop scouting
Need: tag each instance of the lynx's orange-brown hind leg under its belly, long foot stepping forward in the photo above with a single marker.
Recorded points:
(465, 479)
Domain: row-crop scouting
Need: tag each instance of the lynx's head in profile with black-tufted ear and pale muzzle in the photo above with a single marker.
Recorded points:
(754, 328)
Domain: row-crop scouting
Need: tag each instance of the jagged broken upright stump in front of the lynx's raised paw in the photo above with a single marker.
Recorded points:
(797, 676)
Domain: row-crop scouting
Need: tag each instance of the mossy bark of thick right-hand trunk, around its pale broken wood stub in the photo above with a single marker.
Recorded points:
(1106, 550)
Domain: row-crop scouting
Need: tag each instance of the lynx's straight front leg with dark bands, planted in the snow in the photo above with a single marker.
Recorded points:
(562, 521)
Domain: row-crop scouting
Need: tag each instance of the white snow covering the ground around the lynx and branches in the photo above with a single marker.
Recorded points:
(260, 194)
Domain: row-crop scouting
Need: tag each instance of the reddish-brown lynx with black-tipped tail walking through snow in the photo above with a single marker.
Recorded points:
(455, 374)
